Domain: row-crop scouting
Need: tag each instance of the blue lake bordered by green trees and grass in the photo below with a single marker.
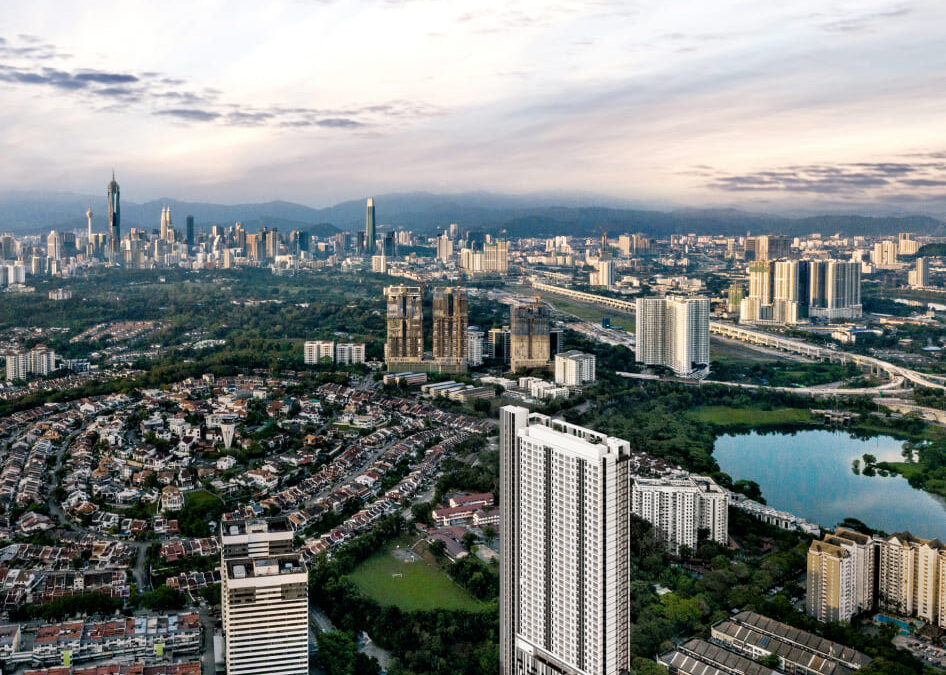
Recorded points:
(808, 473)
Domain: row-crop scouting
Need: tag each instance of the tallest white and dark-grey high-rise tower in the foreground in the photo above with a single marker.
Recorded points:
(564, 575)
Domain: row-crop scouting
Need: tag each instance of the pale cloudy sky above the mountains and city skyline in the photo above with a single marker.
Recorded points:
(788, 105)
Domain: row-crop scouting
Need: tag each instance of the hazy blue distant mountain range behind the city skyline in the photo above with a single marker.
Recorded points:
(516, 216)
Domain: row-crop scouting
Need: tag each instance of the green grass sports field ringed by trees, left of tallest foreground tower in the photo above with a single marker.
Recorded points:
(421, 586)
